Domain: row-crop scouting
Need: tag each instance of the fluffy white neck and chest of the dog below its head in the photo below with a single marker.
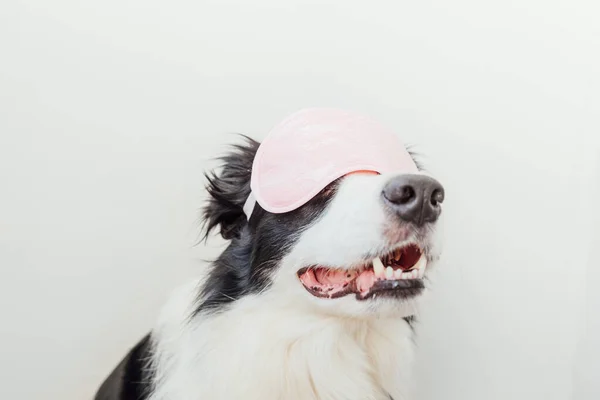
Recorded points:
(258, 350)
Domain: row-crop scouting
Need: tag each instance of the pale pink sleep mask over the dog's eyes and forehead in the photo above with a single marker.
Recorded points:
(312, 148)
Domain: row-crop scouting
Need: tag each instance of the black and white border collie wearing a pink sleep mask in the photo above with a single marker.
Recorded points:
(318, 303)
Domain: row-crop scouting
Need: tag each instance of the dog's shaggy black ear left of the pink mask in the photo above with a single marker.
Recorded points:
(228, 191)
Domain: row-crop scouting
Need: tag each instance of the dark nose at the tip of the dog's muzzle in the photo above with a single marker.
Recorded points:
(415, 198)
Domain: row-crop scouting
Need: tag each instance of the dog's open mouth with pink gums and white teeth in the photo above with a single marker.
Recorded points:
(397, 274)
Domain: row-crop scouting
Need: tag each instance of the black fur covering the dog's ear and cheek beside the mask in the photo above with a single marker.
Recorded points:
(256, 247)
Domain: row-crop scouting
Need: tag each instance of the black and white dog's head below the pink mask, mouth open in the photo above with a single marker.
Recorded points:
(363, 246)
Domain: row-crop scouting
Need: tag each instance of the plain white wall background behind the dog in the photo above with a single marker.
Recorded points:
(110, 112)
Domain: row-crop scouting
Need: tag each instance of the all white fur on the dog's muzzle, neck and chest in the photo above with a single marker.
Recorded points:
(285, 343)
